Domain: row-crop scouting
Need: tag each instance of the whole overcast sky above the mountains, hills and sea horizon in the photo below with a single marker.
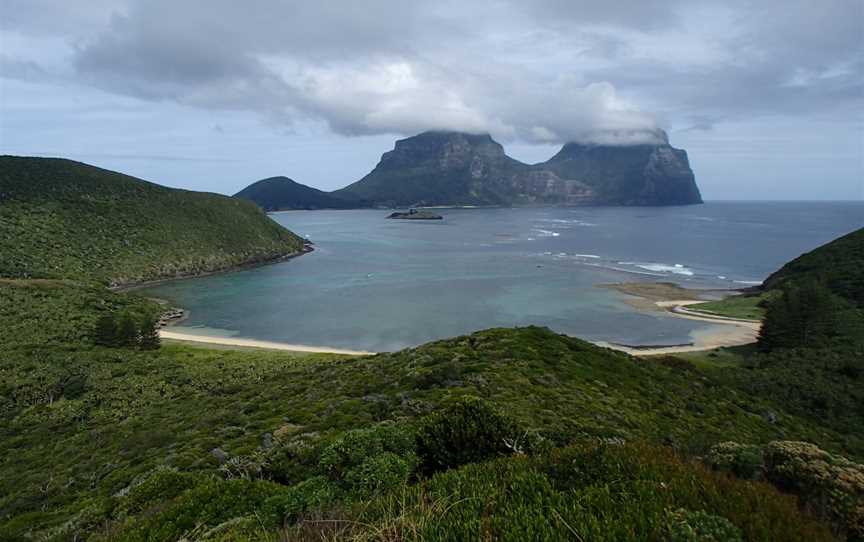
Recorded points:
(767, 96)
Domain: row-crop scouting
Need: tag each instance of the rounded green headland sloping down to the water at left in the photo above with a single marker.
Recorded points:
(61, 219)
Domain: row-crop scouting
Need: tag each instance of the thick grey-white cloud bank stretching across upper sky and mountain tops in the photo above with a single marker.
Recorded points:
(548, 71)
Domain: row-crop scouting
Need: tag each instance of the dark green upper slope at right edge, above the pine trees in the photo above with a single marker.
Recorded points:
(839, 265)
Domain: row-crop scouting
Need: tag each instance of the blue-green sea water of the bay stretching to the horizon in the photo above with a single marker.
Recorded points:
(377, 284)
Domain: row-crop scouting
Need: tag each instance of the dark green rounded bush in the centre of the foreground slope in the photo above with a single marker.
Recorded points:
(467, 431)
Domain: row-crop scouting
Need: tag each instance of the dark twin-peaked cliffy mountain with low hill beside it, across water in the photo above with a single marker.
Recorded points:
(459, 169)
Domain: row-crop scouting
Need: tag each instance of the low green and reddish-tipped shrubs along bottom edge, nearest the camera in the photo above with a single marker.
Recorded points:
(623, 493)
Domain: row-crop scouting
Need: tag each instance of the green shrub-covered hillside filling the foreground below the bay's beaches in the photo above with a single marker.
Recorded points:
(84, 426)
